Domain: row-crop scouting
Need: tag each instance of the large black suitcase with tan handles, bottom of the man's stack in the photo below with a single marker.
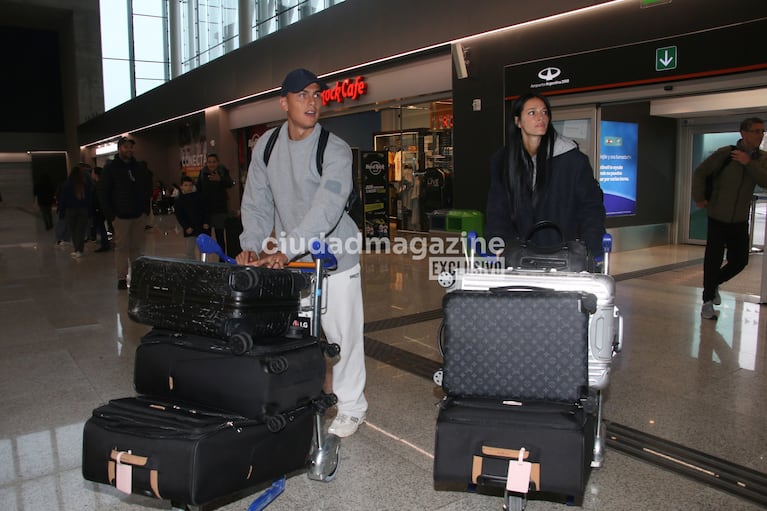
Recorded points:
(189, 456)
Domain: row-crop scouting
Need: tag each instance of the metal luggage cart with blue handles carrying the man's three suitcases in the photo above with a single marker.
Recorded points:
(323, 459)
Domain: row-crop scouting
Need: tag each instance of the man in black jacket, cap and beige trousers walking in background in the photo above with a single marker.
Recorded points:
(125, 197)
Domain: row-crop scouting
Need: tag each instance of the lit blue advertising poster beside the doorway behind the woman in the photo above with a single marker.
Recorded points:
(618, 166)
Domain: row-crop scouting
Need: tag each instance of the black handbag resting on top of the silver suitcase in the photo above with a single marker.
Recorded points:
(564, 256)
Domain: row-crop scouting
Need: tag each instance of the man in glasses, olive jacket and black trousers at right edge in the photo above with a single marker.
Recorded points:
(735, 172)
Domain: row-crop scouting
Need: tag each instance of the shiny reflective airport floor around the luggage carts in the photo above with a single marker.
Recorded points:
(68, 346)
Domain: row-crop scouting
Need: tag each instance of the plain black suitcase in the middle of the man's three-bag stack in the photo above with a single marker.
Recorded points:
(276, 375)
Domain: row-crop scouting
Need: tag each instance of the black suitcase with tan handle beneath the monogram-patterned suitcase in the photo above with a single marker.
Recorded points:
(477, 439)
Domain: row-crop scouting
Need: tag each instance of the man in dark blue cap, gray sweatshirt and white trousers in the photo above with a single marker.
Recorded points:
(300, 204)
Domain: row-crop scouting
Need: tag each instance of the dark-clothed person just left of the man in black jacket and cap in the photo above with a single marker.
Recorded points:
(76, 206)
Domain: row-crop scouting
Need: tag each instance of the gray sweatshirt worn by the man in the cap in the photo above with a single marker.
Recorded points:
(290, 198)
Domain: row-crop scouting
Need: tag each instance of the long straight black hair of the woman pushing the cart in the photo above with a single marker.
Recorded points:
(522, 191)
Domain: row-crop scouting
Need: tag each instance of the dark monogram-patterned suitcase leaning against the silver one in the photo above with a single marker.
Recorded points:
(523, 344)
